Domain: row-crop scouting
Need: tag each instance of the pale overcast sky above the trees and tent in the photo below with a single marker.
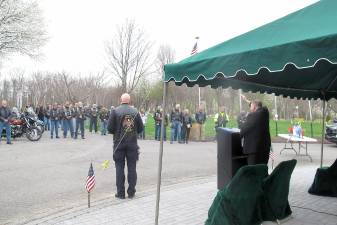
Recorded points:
(79, 28)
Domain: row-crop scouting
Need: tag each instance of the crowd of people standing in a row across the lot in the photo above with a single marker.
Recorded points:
(69, 120)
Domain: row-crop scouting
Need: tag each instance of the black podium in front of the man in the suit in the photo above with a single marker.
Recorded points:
(230, 155)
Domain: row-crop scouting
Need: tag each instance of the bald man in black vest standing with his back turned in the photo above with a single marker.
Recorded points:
(125, 124)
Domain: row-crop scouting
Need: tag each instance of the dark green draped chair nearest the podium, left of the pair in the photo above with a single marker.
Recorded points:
(239, 202)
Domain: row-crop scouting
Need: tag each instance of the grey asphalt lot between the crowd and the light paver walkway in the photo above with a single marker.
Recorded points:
(45, 177)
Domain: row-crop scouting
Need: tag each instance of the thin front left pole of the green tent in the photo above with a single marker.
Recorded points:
(161, 153)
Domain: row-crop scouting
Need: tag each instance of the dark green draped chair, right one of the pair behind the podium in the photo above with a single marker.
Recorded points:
(276, 191)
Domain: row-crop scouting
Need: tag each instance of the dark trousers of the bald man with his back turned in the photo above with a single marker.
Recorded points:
(128, 152)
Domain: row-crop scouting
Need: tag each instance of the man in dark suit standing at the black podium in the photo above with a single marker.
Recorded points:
(255, 134)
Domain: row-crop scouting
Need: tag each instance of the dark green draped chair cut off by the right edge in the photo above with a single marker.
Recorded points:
(325, 181)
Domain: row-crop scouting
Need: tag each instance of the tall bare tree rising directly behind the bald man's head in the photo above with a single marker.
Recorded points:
(128, 55)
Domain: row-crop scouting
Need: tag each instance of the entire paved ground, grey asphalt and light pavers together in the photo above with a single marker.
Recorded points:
(45, 184)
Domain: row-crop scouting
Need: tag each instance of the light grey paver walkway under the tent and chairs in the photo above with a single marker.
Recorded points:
(187, 203)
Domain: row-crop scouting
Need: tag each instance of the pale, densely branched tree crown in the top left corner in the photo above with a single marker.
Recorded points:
(22, 29)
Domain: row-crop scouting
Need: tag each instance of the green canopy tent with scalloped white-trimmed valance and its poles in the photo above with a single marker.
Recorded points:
(295, 56)
